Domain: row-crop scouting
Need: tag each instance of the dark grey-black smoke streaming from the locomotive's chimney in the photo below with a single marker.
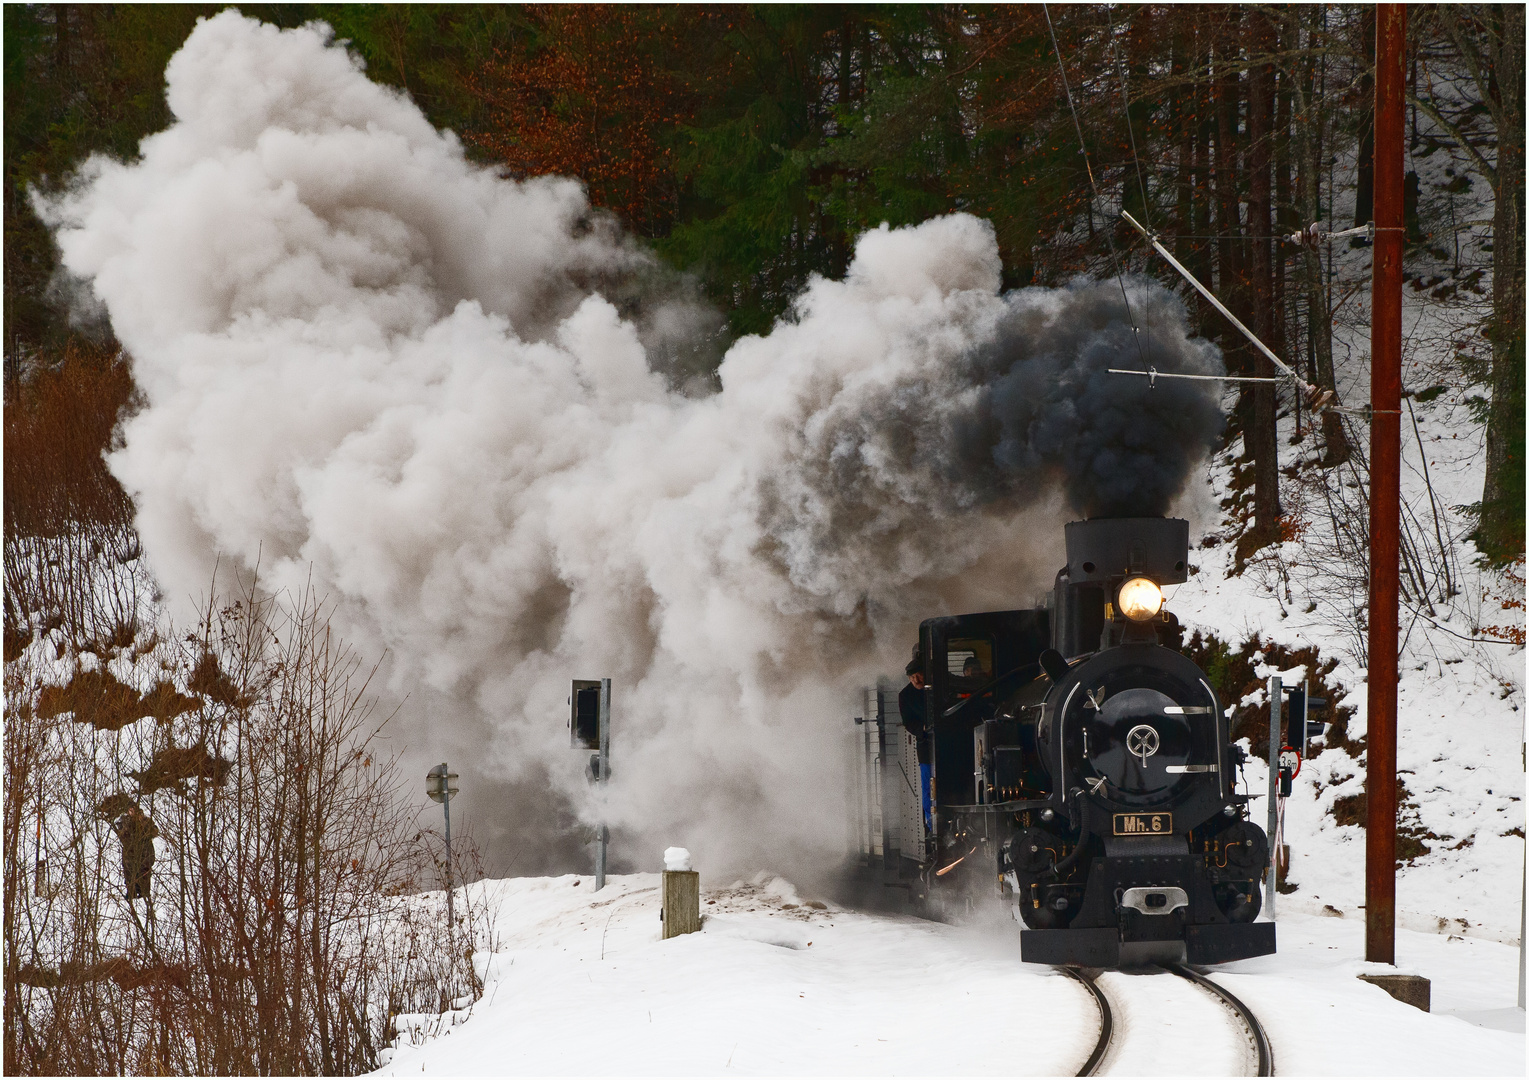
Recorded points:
(927, 463)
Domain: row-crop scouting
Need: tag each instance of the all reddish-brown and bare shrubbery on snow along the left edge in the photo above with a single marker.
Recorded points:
(285, 929)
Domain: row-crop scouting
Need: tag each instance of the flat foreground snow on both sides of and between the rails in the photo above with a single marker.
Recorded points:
(580, 983)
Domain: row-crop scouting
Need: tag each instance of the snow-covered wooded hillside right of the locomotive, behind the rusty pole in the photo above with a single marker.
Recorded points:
(1462, 660)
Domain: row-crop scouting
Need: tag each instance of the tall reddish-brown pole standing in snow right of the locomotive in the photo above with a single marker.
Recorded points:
(1386, 447)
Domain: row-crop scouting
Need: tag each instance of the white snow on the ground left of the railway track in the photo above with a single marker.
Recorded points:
(582, 983)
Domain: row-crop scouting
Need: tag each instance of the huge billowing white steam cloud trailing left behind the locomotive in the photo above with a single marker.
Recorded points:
(372, 362)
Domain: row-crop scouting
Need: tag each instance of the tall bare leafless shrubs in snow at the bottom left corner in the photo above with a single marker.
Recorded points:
(287, 928)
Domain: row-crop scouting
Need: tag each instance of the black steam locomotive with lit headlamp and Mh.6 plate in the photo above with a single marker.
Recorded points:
(1080, 763)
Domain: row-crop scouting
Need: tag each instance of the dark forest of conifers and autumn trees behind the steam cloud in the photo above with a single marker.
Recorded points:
(750, 148)
